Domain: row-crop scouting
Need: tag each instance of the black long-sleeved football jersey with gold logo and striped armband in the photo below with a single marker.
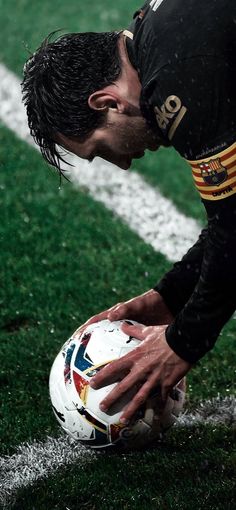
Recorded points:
(185, 55)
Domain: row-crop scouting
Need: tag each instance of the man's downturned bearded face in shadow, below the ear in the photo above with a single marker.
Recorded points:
(122, 139)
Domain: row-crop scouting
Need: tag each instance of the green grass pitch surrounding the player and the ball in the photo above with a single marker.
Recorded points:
(64, 256)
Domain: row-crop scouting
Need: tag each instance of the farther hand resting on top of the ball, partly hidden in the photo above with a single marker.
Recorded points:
(148, 308)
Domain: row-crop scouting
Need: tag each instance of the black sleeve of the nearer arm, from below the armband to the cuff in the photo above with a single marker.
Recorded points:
(213, 300)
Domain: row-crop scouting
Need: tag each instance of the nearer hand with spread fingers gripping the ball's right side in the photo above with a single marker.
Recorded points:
(151, 365)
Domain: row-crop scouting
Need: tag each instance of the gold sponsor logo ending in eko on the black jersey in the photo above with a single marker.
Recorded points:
(169, 115)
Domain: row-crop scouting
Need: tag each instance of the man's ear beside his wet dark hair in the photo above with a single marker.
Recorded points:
(103, 100)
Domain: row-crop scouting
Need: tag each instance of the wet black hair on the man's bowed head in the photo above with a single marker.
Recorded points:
(57, 82)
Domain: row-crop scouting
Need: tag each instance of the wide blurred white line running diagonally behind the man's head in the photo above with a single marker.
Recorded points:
(154, 218)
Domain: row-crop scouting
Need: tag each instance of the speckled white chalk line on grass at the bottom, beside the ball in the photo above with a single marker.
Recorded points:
(35, 461)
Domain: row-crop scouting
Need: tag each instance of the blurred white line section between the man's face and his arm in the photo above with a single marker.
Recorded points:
(154, 218)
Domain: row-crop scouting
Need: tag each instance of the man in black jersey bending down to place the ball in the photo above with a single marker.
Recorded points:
(169, 79)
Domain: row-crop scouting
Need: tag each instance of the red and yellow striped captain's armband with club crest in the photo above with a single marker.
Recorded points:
(215, 177)
